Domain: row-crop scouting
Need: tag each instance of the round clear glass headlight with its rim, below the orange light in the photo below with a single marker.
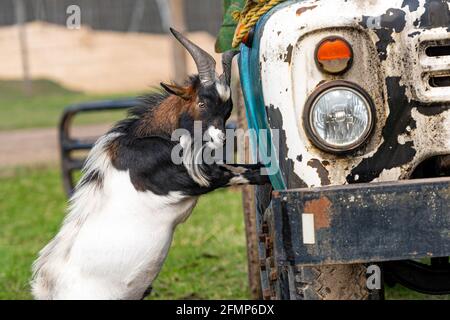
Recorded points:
(339, 116)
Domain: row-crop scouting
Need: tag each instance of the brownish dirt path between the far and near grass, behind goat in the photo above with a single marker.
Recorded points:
(38, 146)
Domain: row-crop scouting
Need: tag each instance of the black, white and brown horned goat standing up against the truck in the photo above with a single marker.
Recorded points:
(122, 216)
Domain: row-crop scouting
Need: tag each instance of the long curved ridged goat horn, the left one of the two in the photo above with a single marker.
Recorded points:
(206, 65)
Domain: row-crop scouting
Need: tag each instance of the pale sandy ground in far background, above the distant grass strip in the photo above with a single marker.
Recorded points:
(93, 61)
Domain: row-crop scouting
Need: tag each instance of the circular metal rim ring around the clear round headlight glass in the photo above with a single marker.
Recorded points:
(308, 117)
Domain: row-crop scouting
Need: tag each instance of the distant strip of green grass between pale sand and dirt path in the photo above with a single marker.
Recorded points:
(44, 106)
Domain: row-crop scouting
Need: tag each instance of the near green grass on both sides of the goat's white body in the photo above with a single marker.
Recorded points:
(207, 259)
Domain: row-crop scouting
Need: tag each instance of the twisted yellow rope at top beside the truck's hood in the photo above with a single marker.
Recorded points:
(249, 16)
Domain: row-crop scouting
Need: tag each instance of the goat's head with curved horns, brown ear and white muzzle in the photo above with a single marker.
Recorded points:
(209, 96)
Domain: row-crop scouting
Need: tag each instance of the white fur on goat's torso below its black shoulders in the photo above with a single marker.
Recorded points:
(114, 240)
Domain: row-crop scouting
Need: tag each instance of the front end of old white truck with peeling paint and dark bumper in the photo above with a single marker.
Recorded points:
(355, 96)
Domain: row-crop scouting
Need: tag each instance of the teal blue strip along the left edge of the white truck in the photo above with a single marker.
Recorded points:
(254, 104)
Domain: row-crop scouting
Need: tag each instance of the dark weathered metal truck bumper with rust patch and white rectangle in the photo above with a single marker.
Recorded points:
(360, 223)
